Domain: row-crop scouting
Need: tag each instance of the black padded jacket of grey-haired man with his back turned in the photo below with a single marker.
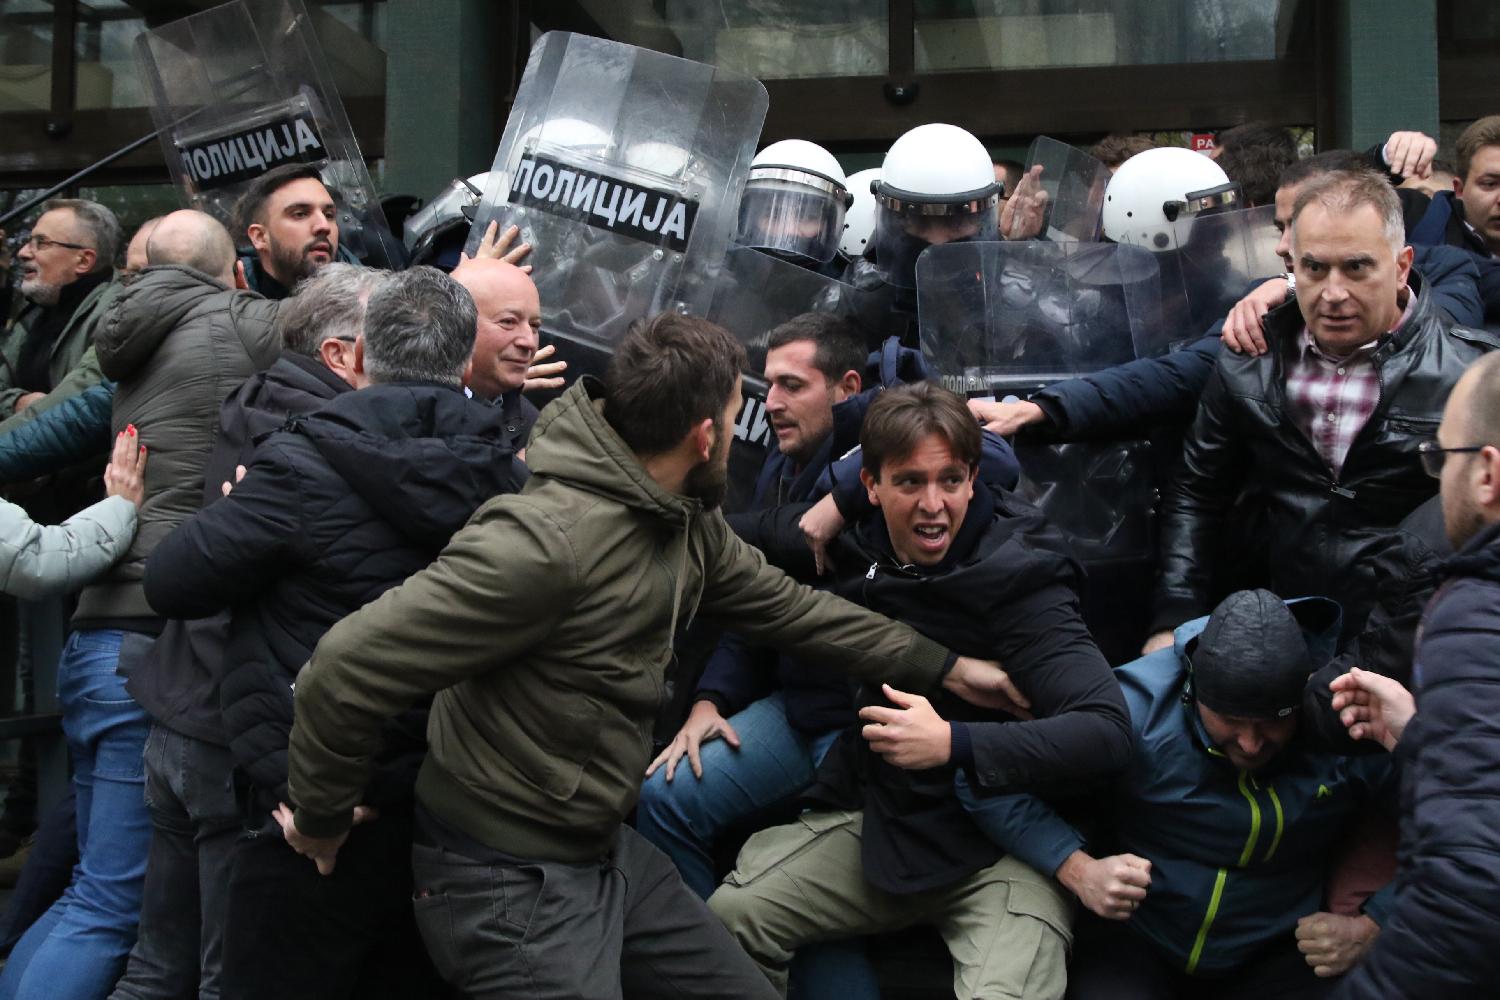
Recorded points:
(334, 512)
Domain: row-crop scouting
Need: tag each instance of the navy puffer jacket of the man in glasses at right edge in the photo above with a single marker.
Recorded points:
(1445, 921)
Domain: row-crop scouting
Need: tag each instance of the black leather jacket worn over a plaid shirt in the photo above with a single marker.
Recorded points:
(1297, 528)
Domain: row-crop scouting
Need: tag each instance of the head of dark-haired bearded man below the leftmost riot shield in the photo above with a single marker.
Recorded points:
(292, 224)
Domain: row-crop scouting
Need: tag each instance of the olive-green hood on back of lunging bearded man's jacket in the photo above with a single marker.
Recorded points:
(574, 443)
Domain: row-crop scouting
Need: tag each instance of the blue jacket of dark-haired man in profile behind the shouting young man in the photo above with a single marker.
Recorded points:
(820, 699)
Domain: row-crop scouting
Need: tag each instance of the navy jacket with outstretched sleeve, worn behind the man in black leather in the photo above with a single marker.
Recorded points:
(1127, 401)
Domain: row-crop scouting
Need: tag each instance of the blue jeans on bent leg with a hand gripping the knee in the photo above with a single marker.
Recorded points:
(775, 765)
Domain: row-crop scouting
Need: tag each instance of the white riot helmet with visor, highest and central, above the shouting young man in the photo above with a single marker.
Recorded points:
(937, 187)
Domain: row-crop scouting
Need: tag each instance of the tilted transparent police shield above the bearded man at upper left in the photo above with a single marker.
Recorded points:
(245, 88)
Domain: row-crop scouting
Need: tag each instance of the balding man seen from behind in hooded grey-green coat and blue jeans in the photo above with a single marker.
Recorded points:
(178, 341)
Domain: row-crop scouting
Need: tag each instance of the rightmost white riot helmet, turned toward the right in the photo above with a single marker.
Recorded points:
(1156, 196)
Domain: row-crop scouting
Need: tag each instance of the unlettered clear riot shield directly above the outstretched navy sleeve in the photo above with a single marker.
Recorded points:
(1003, 317)
